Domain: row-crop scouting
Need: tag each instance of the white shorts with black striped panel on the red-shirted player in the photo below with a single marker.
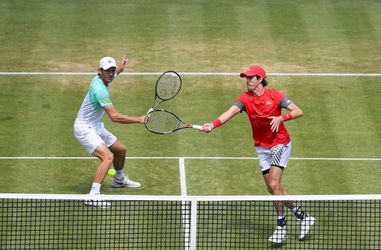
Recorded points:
(278, 155)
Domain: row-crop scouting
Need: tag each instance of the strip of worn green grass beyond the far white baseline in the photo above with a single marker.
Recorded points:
(189, 36)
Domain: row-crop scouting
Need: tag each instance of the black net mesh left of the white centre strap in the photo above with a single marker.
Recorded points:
(69, 224)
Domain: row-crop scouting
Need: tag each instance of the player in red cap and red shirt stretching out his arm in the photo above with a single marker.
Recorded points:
(271, 139)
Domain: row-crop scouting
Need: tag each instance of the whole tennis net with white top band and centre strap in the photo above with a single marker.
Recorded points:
(37, 221)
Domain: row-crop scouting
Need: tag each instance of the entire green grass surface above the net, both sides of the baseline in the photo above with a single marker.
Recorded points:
(342, 115)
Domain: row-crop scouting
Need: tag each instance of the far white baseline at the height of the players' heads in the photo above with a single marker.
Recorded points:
(194, 73)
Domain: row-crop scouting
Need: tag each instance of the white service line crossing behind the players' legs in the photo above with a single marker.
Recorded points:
(184, 157)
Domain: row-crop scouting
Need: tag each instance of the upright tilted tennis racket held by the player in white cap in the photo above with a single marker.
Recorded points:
(167, 86)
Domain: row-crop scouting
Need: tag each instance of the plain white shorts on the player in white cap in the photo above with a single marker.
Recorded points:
(92, 137)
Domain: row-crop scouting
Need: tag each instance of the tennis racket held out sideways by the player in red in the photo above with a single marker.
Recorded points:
(162, 121)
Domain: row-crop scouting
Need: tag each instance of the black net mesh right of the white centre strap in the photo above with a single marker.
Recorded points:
(248, 224)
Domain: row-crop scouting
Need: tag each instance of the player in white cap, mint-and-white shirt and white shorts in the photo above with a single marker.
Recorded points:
(91, 133)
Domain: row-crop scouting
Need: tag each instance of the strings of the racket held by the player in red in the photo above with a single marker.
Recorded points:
(162, 122)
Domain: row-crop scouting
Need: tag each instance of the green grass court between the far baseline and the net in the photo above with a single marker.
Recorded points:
(341, 120)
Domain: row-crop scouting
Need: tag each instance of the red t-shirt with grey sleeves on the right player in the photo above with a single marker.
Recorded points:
(258, 109)
